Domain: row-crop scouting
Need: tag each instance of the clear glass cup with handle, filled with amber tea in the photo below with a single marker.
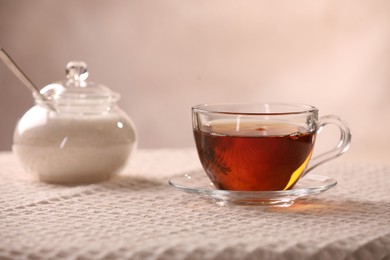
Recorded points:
(261, 147)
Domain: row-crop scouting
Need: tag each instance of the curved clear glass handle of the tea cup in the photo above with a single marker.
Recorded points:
(342, 146)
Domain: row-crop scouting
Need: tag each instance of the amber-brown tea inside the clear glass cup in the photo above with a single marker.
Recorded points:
(254, 156)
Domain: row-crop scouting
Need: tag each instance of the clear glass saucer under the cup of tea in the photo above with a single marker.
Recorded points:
(199, 184)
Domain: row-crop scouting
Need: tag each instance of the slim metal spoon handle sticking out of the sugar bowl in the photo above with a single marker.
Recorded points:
(20, 75)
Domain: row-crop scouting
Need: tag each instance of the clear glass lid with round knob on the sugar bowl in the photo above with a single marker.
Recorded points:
(76, 89)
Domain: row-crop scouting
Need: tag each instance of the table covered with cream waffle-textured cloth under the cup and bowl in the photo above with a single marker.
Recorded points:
(137, 215)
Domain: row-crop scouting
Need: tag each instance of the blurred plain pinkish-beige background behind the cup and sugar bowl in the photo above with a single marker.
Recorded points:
(165, 56)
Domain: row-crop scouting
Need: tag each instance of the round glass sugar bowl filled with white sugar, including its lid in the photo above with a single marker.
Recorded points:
(77, 134)
